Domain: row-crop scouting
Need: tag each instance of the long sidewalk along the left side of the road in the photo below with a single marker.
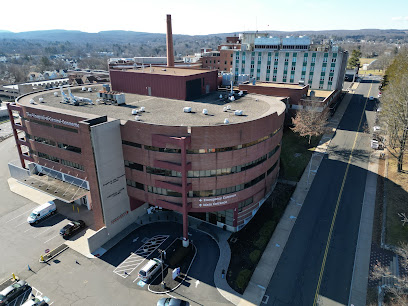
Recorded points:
(263, 273)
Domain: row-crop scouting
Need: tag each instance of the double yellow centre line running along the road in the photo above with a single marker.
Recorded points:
(338, 203)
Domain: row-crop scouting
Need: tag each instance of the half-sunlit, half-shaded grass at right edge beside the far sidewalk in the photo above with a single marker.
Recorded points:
(396, 188)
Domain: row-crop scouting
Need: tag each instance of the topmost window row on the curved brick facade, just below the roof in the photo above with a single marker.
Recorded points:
(202, 151)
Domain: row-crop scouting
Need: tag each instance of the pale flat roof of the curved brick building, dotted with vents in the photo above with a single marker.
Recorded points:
(162, 111)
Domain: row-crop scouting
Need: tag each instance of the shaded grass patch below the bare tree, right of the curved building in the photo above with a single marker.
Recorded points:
(295, 155)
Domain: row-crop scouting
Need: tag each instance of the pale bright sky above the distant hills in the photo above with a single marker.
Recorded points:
(205, 17)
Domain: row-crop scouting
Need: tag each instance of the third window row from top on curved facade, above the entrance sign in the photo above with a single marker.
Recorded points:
(210, 193)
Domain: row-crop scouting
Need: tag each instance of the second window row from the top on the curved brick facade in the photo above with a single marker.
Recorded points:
(202, 173)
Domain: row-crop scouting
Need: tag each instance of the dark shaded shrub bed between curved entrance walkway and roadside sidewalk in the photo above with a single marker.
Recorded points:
(252, 240)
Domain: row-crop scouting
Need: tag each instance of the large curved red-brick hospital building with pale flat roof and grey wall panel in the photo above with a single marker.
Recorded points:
(192, 163)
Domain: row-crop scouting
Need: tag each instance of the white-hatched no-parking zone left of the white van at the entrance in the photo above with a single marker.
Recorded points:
(141, 254)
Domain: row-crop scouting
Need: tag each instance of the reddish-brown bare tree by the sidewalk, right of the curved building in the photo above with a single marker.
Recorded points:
(310, 122)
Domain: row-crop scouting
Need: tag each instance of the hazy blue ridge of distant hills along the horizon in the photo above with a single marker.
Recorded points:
(140, 37)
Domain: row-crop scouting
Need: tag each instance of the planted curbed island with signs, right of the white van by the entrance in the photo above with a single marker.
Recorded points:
(177, 257)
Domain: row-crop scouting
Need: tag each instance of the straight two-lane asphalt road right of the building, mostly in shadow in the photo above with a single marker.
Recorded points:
(334, 202)
